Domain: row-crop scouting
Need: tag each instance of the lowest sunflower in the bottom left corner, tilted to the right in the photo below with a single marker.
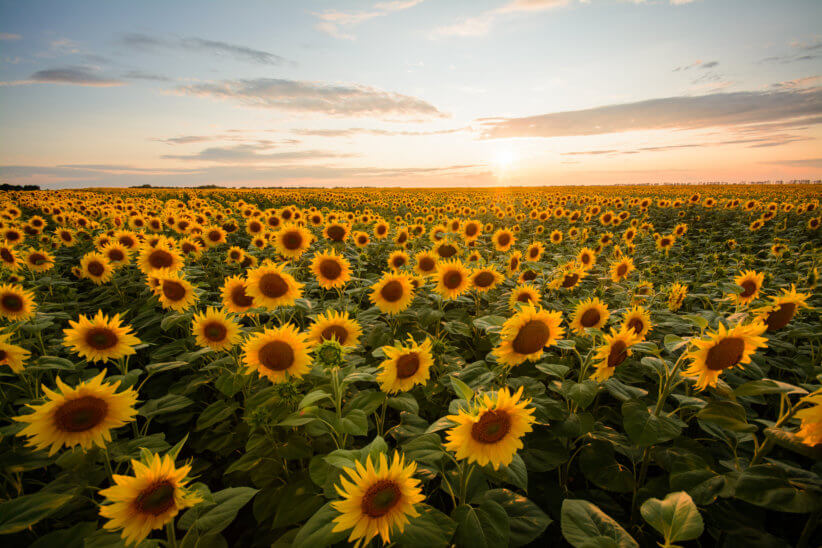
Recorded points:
(148, 500)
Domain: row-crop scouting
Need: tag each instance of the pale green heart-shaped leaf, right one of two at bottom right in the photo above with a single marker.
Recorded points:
(676, 517)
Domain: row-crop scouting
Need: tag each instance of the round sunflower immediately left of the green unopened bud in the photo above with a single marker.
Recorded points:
(280, 353)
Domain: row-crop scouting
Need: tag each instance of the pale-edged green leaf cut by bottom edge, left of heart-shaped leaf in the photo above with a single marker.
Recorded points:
(584, 525)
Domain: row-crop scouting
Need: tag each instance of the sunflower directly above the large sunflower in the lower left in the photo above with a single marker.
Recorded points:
(100, 339)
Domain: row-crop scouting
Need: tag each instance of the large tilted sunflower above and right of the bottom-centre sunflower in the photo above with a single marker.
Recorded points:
(491, 431)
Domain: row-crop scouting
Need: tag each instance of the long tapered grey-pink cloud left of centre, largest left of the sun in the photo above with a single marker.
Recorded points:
(318, 97)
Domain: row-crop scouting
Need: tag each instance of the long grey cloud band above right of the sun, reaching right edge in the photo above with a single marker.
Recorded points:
(684, 112)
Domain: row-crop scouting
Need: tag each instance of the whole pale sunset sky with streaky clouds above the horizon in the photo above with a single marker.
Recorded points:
(409, 92)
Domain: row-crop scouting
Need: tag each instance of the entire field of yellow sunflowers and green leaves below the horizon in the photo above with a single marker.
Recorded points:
(571, 366)
